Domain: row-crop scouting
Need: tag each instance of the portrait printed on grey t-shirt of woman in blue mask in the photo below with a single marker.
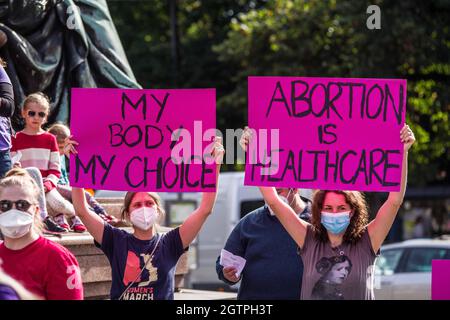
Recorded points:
(335, 271)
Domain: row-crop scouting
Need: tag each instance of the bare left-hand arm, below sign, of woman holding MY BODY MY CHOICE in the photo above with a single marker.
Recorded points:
(92, 221)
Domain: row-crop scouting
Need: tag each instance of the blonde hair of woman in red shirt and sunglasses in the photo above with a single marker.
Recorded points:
(18, 177)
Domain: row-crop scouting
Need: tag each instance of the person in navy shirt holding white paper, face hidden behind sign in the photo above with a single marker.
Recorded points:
(273, 268)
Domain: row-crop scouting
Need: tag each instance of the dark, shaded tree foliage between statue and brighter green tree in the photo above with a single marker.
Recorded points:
(144, 28)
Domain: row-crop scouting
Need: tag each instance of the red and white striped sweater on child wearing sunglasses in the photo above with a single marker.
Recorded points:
(40, 151)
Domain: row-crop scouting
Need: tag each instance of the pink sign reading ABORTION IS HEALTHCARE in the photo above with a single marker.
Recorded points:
(326, 133)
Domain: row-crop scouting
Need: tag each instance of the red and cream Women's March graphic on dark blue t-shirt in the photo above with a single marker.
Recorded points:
(141, 289)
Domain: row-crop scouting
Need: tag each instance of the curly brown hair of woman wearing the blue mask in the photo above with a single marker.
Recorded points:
(358, 222)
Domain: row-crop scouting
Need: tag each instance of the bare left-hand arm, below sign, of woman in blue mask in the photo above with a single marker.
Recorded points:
(295, 226)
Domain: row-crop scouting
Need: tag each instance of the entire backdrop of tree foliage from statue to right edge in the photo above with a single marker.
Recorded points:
(222, 42)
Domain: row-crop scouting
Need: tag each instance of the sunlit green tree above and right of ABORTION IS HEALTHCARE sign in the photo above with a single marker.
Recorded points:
(330, 38)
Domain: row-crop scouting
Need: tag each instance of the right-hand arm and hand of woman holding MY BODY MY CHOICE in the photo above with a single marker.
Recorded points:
(192, 225)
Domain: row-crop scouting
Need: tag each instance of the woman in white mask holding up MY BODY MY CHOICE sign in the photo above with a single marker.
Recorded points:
(143, 263)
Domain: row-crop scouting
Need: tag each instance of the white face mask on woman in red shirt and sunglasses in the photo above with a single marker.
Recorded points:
(15, 223)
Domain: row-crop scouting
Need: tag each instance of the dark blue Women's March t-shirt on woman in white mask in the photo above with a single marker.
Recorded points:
(128, 255)
